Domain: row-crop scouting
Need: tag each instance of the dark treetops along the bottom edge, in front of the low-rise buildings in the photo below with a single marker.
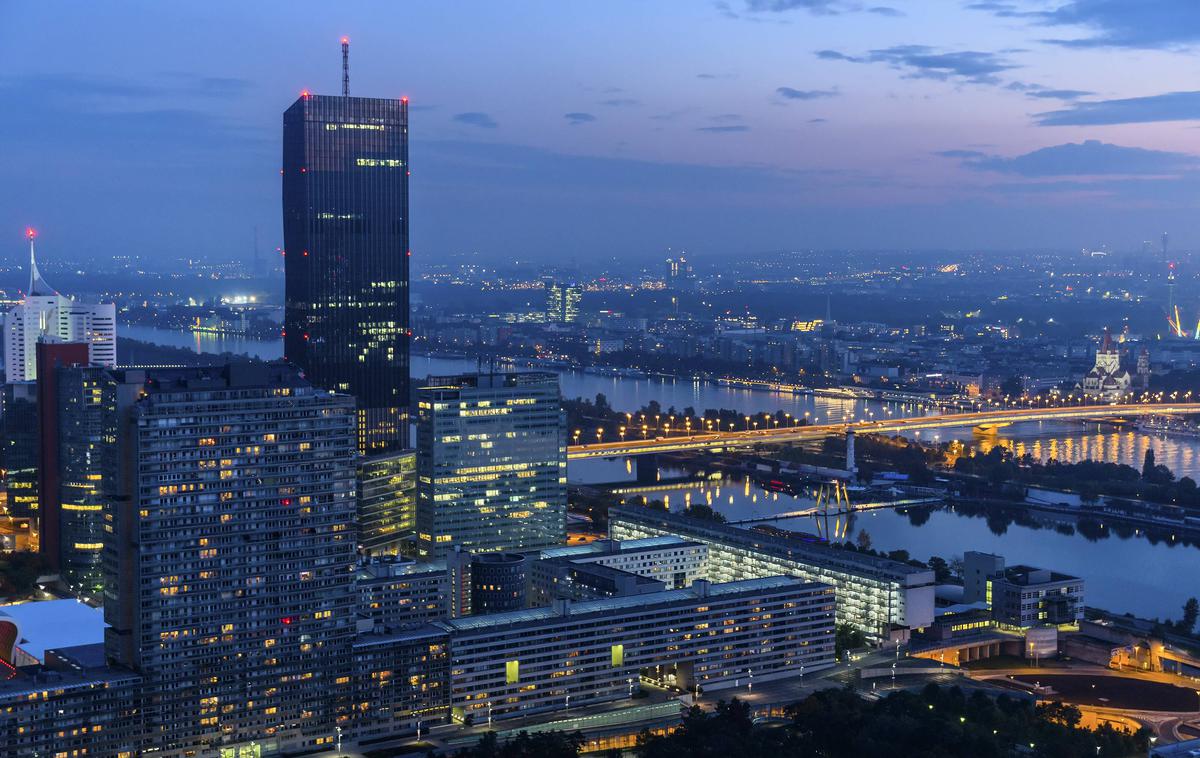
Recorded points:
(938, 723)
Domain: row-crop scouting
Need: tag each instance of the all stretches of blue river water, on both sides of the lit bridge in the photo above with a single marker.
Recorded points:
(1127, 571)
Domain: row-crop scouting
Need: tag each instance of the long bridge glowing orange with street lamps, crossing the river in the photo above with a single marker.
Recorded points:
(751, 438)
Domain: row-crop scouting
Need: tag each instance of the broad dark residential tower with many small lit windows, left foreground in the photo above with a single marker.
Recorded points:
(229, 568)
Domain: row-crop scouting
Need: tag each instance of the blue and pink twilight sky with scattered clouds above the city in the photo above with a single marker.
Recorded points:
(579, 130)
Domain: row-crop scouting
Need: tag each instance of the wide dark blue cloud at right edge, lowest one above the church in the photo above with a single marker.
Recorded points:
(1089, 159)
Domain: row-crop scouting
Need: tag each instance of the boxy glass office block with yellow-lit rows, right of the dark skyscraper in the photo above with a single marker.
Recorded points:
(491, 464)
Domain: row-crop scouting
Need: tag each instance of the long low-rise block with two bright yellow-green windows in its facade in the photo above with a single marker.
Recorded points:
(709, 636)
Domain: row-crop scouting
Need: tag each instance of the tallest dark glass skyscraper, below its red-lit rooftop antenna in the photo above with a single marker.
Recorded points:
(346, 246)
